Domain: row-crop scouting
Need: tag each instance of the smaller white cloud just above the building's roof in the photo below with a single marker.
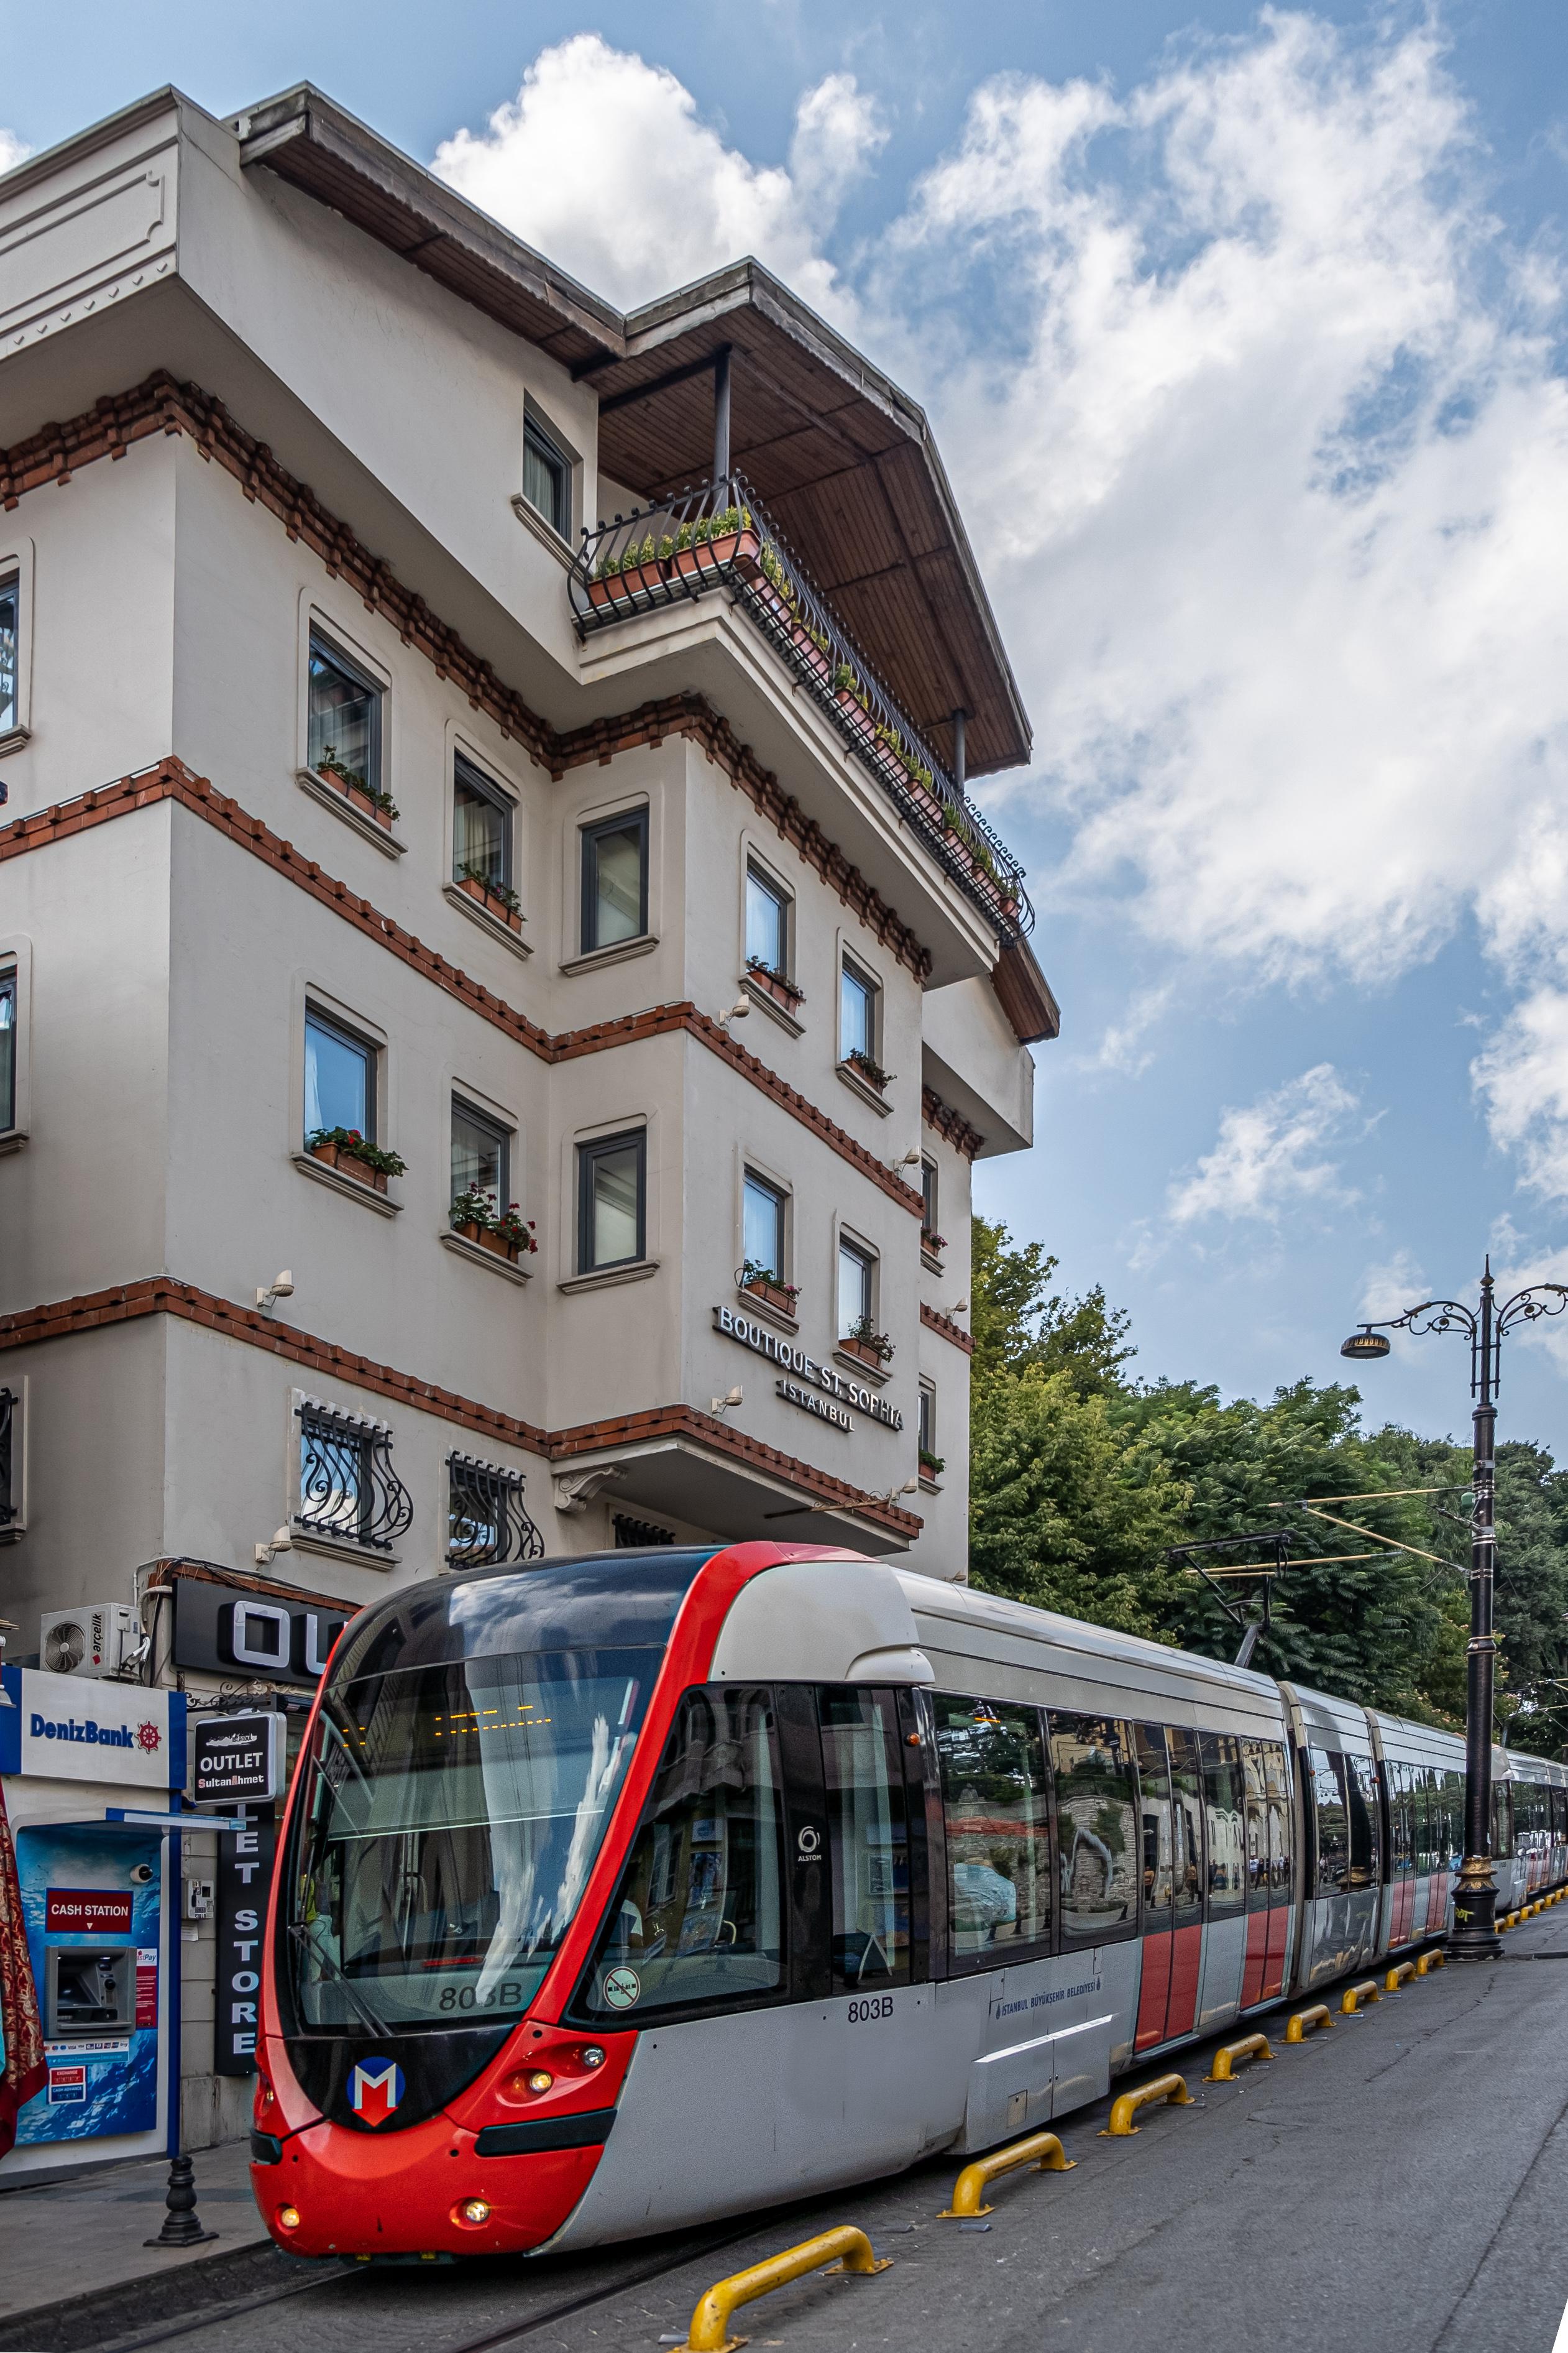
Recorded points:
(603, 164)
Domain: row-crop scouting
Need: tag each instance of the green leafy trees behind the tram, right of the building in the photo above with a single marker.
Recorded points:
(1083, 1479)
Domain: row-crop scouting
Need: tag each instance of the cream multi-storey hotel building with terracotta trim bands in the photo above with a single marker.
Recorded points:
(525, 740)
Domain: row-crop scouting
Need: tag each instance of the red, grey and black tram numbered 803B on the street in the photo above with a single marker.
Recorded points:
(596, 1865)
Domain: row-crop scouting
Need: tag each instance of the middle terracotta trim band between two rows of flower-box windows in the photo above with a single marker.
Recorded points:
(175, 782)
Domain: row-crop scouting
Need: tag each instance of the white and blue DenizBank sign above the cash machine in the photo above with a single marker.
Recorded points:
(69, 1731)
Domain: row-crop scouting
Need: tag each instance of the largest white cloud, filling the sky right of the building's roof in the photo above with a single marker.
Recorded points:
(1271, 469)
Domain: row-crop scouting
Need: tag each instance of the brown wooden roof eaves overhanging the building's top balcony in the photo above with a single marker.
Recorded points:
(838, 455)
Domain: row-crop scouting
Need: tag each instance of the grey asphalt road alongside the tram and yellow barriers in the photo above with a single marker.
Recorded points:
(1395, 2185)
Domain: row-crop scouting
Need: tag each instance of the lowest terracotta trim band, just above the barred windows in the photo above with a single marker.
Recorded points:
(161, 1295)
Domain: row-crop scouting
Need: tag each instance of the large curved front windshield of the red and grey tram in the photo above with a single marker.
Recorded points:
(448, 1834)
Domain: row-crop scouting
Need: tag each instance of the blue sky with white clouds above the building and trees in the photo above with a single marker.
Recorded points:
(1245, 345)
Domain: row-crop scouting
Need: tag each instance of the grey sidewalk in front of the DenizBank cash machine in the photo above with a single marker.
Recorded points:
(69, 2239)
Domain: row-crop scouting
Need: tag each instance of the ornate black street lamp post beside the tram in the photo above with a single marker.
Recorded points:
(1475, 1902)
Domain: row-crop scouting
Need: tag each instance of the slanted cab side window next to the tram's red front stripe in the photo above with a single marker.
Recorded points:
(699, 1912)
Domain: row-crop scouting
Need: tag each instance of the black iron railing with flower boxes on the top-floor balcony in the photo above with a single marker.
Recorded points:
(721, 538)
